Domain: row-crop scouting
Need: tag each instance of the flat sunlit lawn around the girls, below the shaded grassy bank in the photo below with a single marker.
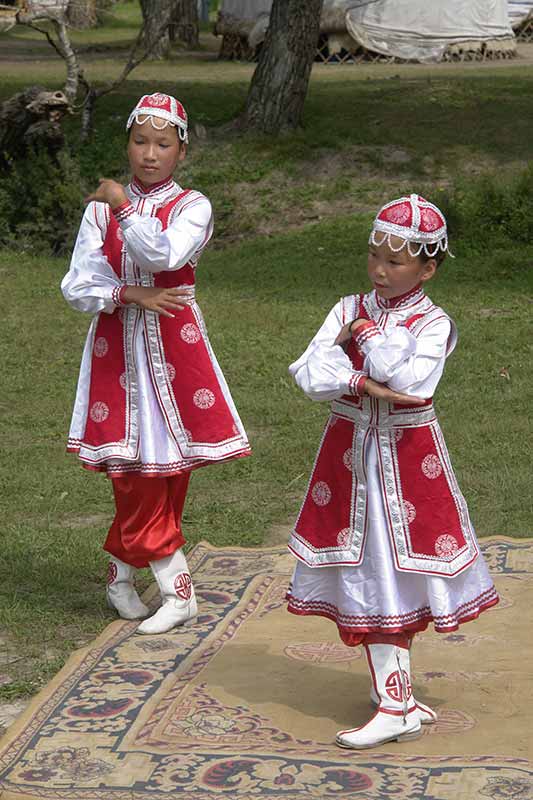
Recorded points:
(263, 301)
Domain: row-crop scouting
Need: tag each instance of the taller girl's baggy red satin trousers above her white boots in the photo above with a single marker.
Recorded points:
(147, 523)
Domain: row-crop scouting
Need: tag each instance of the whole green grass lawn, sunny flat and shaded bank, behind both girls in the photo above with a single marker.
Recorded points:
(292, 222)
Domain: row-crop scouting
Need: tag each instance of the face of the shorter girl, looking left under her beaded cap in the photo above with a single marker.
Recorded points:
(395, 273)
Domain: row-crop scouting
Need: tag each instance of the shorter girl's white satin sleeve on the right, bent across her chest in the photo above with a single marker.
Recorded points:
(408, 363)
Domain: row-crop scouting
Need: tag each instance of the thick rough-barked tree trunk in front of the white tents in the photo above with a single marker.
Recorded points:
(279, 85)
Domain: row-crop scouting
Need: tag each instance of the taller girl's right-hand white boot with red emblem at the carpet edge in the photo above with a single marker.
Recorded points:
(177, 595)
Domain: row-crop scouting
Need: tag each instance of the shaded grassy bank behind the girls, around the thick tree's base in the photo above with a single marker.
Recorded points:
(362, 141)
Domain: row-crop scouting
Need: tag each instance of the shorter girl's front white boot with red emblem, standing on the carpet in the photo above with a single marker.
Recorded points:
(396, 718)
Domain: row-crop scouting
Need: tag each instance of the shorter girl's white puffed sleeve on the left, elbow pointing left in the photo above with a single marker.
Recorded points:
(324, 371)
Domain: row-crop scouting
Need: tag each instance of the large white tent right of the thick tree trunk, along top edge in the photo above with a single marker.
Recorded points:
(423, 31)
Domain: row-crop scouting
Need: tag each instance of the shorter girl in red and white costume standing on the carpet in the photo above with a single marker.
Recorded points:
(384, 542)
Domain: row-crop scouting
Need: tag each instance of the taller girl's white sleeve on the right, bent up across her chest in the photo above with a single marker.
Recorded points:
(158, 250)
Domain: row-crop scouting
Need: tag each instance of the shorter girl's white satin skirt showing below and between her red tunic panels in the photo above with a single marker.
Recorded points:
(376, 597)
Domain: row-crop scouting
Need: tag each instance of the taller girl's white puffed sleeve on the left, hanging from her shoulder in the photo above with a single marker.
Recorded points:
(91, 284)
